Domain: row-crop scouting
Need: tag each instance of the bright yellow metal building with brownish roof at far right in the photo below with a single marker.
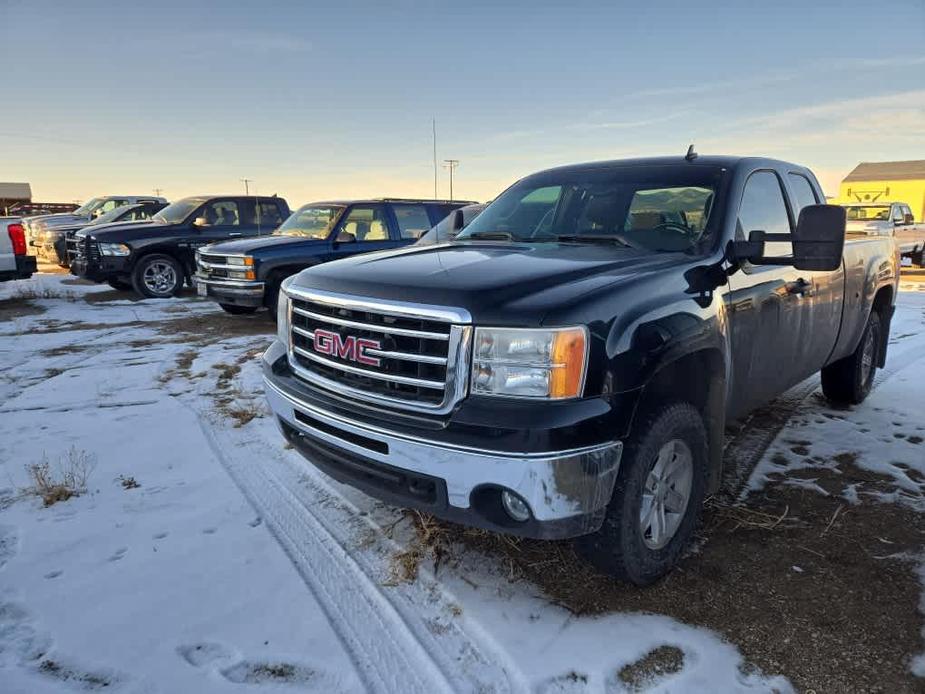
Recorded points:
(887, 181)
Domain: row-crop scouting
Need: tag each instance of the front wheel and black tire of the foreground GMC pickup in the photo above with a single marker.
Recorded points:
(657, 498)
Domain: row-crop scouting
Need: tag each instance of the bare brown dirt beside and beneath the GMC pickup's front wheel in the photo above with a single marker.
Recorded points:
(805, 585)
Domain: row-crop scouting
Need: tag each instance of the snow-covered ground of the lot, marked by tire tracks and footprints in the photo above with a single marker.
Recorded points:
(205, 557)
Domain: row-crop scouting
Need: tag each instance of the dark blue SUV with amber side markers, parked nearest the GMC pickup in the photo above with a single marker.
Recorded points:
(315, 233)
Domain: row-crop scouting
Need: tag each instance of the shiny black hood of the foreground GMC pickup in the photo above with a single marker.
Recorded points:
(495, 282)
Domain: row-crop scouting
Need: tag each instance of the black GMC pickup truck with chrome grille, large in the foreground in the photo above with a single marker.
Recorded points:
(565, 366)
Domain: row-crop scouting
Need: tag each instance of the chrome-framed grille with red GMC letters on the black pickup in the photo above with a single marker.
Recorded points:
(415, 354)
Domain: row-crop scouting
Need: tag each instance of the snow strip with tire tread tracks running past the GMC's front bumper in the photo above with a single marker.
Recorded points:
(396, 644)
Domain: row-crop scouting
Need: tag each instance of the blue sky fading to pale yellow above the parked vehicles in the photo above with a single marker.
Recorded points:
(316, 99)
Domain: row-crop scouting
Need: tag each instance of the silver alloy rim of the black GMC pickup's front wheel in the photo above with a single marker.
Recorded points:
(666, 494)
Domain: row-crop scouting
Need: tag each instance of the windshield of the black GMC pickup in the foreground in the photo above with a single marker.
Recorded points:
(652, 208)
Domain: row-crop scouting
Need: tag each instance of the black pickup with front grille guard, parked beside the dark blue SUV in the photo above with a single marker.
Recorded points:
(157, 257)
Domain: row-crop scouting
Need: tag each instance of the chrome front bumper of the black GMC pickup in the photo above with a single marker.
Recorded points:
(567, 491)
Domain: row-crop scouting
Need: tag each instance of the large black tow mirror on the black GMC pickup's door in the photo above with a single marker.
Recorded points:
(817, 242)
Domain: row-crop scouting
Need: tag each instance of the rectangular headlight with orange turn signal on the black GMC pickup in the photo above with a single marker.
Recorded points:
(528, 363)
